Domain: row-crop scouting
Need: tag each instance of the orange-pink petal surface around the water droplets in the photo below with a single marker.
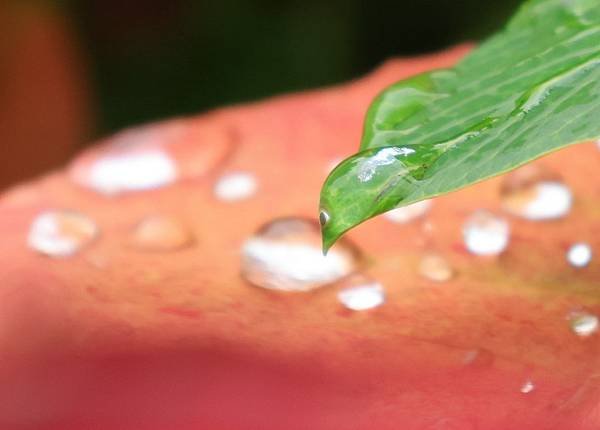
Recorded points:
(117, 338)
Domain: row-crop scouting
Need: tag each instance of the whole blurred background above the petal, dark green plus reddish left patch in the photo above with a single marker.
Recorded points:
(75, 70)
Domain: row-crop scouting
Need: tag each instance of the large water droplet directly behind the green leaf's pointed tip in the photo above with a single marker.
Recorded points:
(286, 255)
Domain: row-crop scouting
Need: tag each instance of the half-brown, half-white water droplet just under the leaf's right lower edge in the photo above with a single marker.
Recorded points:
(536, 194)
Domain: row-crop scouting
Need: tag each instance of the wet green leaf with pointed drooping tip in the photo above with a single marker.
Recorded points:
(529, 90)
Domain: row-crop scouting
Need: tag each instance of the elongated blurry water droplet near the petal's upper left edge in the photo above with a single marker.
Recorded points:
(149, 157)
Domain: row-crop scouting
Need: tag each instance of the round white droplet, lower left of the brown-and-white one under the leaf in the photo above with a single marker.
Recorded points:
(485, 233)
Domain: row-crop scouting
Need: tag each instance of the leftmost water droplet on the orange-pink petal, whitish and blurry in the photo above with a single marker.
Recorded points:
(61, 233)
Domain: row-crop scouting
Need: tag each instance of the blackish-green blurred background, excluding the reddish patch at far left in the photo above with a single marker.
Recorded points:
(150, 59)
